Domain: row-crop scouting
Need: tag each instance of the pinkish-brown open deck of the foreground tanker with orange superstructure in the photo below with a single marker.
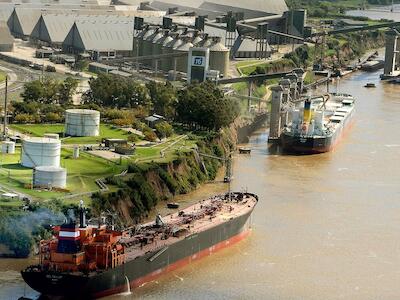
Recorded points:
(230, 209)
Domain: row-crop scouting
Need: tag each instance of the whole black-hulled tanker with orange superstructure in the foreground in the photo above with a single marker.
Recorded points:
(93, 261)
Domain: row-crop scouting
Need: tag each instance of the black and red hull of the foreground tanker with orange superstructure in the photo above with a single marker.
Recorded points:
(142, 269)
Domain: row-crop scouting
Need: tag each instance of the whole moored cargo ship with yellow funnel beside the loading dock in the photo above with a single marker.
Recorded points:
(319, 125)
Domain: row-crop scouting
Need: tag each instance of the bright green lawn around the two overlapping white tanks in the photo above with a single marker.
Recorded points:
(81, 174)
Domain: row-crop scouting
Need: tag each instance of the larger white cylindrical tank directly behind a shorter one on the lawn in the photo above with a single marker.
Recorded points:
(40, 152)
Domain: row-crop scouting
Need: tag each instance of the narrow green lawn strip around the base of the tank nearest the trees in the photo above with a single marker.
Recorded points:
(106, 131)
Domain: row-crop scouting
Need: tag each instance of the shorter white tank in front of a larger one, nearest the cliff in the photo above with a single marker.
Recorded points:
(49, 177)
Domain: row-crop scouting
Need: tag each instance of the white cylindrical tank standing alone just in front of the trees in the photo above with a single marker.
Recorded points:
(82, 122)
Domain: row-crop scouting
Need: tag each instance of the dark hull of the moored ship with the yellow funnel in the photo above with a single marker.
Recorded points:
(314, 145)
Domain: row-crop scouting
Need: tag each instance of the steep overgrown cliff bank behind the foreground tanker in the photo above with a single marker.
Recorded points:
(146, 184)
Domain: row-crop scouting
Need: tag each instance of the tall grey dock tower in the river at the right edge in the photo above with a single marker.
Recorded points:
(392, 54)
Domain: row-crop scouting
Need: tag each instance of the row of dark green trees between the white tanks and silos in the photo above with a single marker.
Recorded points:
(122, 101)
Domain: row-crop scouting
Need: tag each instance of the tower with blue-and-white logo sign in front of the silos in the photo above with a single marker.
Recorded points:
(198, 62)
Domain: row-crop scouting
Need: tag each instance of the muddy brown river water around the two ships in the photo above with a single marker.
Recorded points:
(326, 226)
